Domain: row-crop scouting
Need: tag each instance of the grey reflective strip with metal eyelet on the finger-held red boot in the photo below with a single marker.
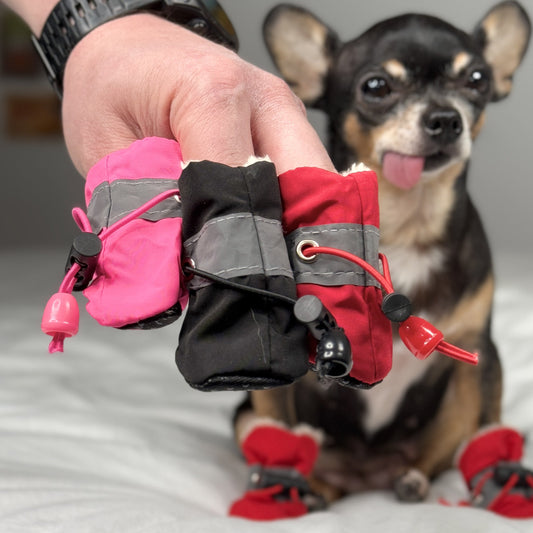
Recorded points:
(329, 270)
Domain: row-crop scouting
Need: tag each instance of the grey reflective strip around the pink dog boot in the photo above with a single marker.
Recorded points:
(112, 201)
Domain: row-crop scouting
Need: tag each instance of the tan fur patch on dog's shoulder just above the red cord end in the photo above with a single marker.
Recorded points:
(469, 317)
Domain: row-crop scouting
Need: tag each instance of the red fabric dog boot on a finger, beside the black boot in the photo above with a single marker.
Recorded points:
(328, 210)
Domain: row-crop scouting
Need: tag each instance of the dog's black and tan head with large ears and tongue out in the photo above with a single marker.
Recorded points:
(407, 97)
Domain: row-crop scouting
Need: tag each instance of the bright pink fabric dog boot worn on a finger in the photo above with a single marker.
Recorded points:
(138, 281)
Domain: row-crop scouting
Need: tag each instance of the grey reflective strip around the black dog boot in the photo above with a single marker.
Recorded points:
(240, 244)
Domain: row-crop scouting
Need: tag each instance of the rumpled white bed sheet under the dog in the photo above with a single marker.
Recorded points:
(108, 437)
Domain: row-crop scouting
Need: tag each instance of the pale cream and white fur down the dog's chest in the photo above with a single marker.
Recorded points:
(415, 258)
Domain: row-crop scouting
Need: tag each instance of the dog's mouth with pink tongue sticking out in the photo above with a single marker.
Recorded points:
(405, 171)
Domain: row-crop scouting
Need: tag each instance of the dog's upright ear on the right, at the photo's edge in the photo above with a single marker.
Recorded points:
(504, 37)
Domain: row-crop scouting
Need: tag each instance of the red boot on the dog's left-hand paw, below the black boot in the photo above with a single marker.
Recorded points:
(280, 461)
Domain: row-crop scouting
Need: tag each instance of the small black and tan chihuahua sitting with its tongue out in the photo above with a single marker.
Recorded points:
(407, 98)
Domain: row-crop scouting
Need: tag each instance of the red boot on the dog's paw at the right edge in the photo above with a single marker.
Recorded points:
(491, 467)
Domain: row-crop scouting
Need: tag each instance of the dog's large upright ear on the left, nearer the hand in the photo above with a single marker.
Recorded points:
(301, 47)
